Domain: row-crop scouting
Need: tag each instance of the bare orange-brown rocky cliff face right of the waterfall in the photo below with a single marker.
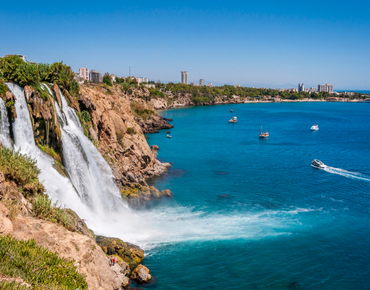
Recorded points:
(119, 120)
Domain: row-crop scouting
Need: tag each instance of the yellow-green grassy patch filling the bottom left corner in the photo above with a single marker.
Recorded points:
(37, 266)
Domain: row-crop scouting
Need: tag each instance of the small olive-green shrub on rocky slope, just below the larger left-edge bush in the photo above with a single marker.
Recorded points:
(43, 209)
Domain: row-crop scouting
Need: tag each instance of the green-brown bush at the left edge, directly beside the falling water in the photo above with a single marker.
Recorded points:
(22, 170)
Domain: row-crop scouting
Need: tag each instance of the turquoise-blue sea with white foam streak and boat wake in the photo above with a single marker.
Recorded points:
(252, 213)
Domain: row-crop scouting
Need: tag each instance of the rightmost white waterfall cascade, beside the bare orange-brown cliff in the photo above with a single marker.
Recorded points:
(89, 172)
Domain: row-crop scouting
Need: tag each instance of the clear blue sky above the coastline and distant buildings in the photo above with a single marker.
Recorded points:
(251, 43)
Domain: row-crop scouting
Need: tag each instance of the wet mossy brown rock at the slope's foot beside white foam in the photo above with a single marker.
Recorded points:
(129, 253)
